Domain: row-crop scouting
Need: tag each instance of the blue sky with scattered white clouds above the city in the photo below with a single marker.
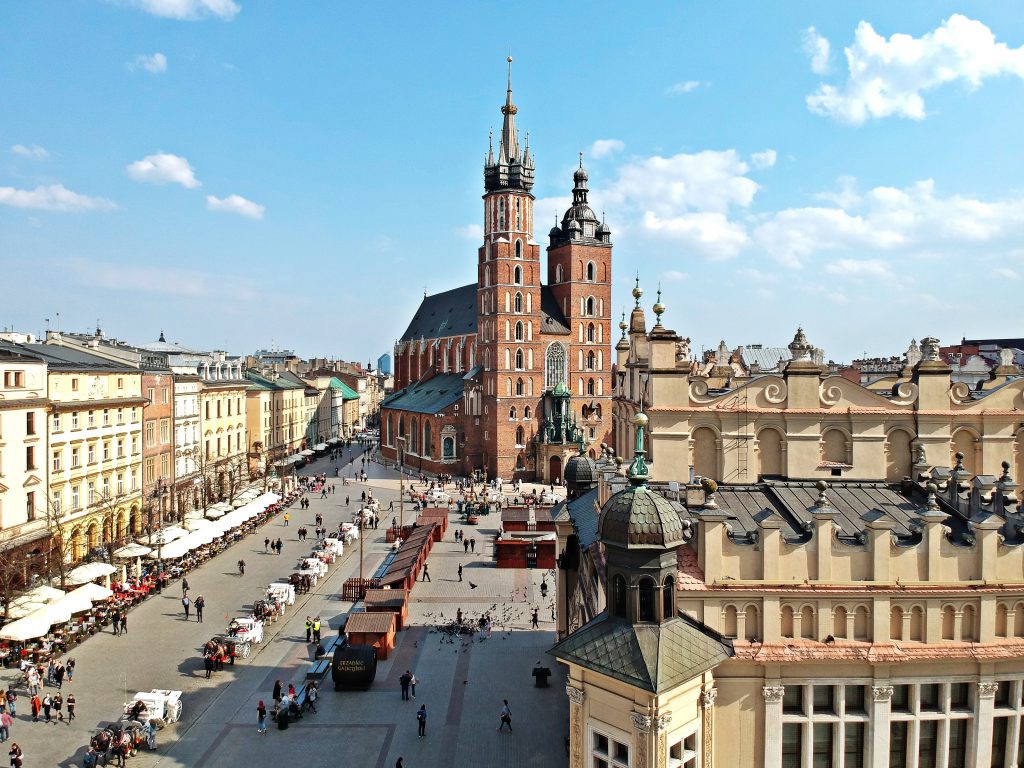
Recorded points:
(248, 174)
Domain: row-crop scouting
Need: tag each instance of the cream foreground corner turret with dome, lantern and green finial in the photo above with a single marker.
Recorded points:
(641, 684)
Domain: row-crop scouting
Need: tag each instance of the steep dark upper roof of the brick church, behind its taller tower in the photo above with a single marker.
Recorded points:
(454, 314)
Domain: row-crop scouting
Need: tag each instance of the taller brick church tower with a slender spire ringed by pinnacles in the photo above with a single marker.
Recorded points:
(509, 301)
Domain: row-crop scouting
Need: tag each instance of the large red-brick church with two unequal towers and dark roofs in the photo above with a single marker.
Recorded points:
(510, 376)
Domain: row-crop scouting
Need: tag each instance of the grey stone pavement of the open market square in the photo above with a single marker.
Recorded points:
(462, 684)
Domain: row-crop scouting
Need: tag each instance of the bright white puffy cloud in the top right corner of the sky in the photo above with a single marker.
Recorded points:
(889, 77)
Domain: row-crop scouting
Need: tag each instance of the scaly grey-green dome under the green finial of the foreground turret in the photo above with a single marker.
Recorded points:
(641, 518)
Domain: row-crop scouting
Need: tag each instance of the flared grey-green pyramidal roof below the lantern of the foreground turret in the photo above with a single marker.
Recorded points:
(651, 657)
